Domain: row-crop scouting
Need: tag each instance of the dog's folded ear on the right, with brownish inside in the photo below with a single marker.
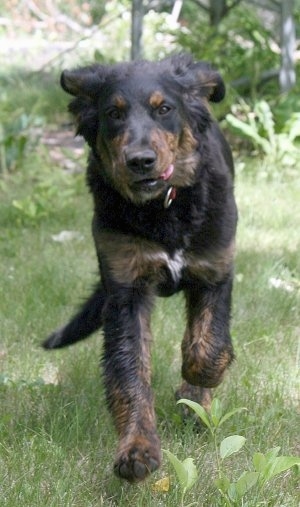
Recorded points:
(211, 83)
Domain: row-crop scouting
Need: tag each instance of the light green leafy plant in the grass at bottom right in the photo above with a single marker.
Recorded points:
(233, 492)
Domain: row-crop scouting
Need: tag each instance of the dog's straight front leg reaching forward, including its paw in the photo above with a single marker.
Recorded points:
(126, 363)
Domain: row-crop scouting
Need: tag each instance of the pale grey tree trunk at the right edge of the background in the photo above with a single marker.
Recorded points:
(287, 76)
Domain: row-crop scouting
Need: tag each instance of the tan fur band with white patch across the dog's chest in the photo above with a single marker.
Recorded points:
(133, 258)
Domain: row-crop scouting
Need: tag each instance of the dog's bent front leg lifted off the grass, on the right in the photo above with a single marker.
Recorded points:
(206, 348)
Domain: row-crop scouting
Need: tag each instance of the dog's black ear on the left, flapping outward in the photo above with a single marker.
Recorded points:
(84, 82)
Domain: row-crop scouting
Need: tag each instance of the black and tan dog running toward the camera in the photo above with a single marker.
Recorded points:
(161, 176)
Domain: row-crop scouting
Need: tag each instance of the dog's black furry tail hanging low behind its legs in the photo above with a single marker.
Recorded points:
(85, 322)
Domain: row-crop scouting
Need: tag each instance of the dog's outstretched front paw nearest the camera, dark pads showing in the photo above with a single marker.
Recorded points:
(138, 459)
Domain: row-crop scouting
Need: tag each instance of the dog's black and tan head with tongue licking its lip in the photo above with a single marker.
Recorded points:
(144, 120)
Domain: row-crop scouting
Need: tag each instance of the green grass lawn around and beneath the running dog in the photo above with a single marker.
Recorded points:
(57, 441)
